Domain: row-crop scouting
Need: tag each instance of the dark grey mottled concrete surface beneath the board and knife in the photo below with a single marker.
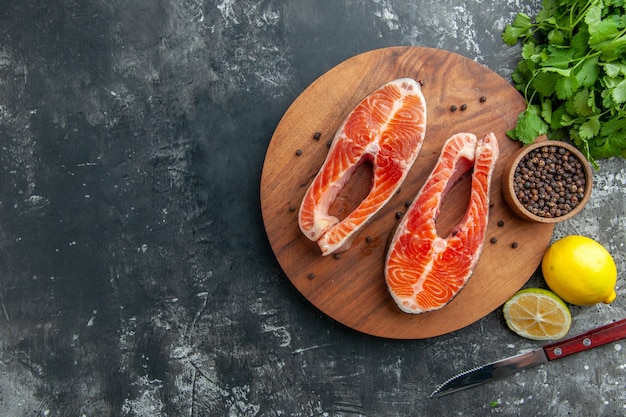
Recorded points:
(135, 275)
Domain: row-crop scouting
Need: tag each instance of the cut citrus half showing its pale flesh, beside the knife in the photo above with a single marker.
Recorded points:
(537, 314)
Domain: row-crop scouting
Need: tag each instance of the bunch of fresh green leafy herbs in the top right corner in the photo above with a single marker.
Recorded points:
(573, 75)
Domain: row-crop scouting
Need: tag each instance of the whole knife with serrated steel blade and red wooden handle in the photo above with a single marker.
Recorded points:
(499, 369)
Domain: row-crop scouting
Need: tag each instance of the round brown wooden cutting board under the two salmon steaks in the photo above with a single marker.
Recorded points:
(351, 288)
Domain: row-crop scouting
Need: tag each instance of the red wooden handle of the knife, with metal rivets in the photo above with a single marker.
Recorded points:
(593, 338)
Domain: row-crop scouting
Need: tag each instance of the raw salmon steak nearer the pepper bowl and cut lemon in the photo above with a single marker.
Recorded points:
(424, 271)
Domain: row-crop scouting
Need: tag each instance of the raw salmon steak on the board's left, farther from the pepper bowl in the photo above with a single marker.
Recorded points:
(387, 129)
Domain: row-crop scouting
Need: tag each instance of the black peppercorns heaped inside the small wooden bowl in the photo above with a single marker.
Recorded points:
(549, 181)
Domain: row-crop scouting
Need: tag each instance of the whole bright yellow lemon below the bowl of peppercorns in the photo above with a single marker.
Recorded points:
(580, 271)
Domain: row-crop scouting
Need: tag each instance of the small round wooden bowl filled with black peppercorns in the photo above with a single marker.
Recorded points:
(548, 181)
